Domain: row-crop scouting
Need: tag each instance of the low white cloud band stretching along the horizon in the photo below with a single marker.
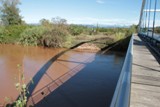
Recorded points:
(103, 21)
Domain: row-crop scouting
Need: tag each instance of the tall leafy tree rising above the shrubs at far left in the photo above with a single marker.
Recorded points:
(9, 12)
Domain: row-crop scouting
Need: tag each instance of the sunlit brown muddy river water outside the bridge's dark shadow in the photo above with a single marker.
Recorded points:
(32, 59)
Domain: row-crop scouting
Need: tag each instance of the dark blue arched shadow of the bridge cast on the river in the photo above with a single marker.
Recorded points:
(93, 86)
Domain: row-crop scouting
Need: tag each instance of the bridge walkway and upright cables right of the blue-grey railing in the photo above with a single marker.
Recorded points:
(145, 83)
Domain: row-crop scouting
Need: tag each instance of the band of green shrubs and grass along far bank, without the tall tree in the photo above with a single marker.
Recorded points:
(59, 34)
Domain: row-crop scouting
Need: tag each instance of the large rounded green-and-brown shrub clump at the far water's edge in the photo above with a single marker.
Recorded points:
(44, 36)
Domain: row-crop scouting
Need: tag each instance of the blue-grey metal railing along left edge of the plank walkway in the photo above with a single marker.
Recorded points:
(121, 96)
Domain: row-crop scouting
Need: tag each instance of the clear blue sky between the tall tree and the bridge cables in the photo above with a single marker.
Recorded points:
(107, 12)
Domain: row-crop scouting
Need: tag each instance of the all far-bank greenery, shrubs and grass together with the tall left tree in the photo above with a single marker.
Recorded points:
(49, 33)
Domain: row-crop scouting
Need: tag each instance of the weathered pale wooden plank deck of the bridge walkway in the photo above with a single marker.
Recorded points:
(145, 86)
